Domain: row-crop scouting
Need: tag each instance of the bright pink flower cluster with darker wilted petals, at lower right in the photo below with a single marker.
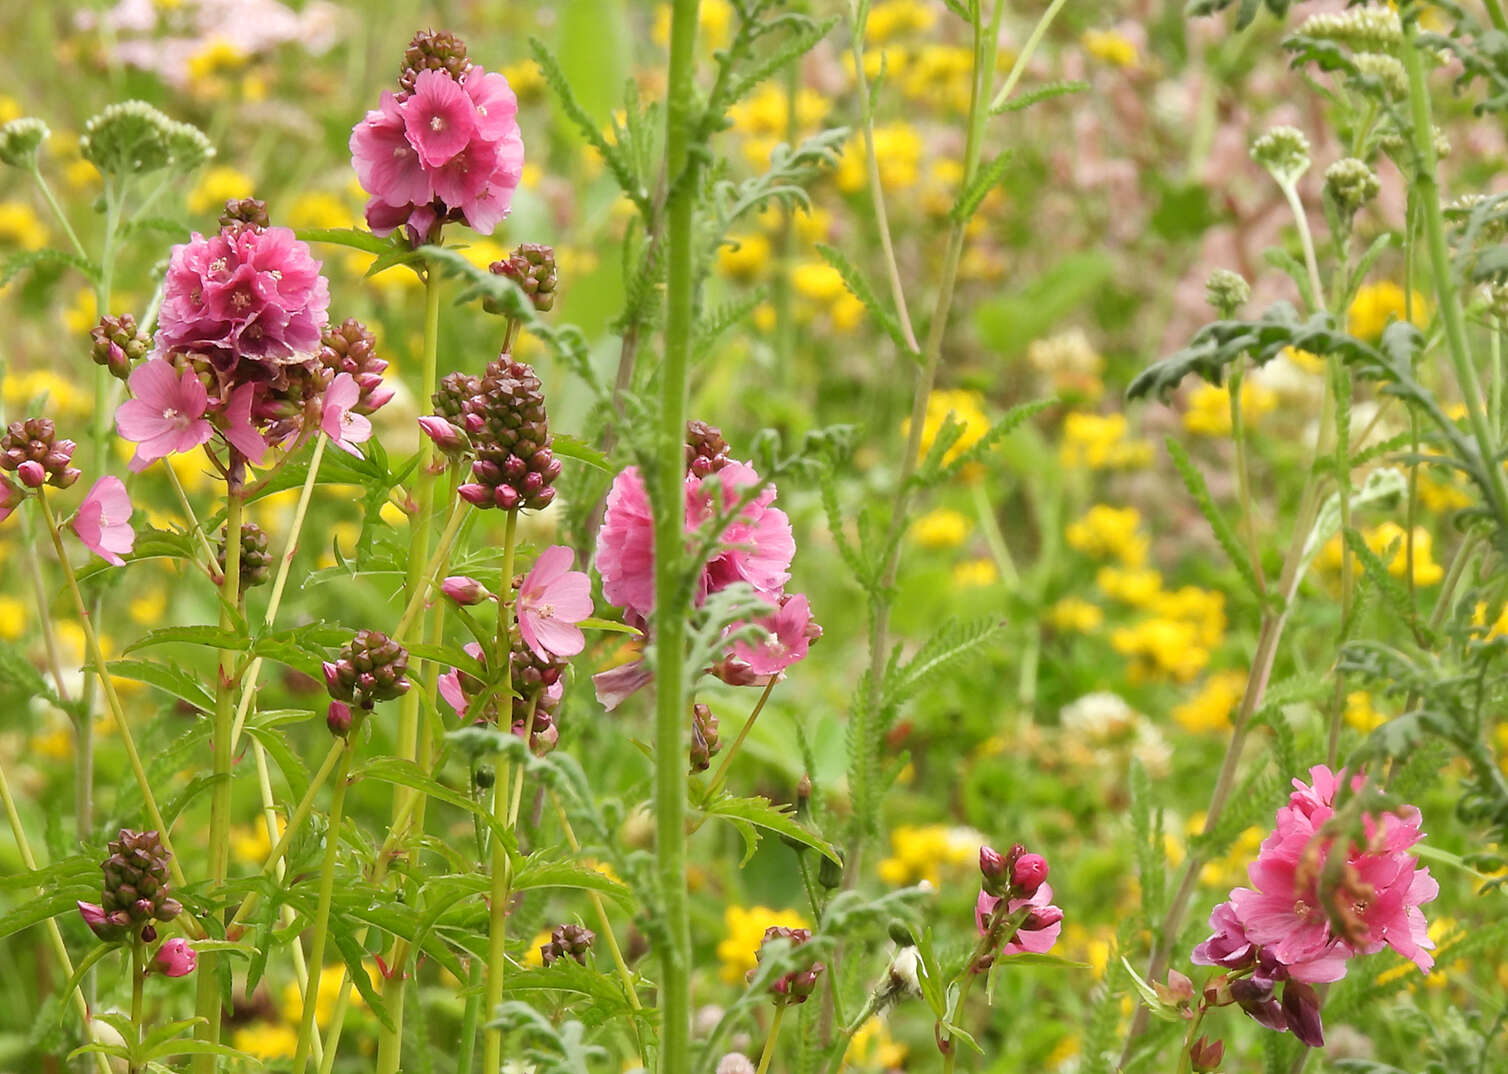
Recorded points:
(1310, 912)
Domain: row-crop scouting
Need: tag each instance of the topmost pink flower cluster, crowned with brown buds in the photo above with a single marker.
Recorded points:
(446, 147)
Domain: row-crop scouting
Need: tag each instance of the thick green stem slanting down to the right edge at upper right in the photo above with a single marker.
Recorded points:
(1429, 198)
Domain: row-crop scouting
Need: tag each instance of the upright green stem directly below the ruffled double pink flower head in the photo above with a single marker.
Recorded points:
(225, 696)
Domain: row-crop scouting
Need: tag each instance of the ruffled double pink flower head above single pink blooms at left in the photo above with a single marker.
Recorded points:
(244, 295)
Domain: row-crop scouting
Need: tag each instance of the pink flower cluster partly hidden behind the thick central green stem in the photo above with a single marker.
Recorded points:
(755, 548)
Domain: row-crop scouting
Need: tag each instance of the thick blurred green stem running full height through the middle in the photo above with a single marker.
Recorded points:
(670, 612)
